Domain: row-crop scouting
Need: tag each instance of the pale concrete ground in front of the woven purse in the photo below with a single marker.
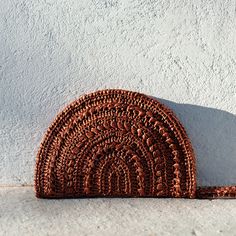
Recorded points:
(21, 213)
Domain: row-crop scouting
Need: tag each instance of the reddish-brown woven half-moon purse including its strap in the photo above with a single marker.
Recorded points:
(117, 143)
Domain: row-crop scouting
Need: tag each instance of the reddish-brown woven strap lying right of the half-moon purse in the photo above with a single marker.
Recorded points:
(216, 192)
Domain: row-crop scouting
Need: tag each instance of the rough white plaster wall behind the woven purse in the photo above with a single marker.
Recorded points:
(182, 52)
